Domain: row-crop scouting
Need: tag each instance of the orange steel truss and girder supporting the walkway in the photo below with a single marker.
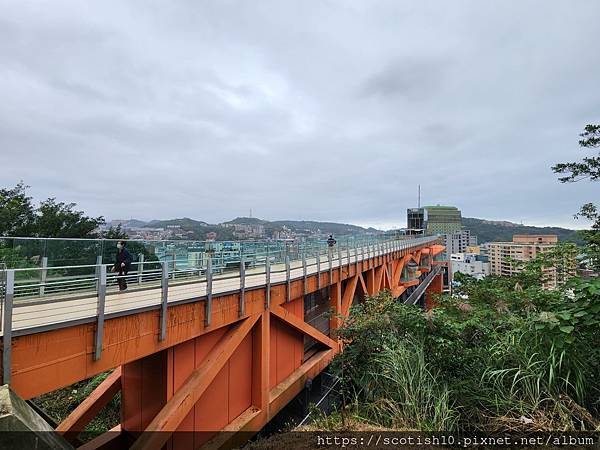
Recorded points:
(233, 375)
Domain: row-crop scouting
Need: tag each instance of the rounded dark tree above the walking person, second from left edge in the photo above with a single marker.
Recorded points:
(58, 219)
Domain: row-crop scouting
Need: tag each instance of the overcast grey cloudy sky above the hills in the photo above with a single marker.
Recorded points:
(325, 110)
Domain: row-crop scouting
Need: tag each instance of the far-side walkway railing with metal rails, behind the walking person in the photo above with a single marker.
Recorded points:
(45, 281)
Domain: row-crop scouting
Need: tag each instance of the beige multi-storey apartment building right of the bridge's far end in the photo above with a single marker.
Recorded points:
(505, 257)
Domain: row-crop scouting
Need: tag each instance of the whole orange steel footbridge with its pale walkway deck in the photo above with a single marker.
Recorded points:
(213, 353)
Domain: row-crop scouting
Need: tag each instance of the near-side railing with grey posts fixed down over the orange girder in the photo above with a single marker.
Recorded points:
(47, 296)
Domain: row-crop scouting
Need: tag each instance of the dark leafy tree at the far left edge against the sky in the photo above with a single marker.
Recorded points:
(17, 213)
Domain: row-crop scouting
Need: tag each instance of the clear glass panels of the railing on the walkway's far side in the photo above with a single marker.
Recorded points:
(71, 264)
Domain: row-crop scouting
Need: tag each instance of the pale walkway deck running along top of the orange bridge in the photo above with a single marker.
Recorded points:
(35, 313)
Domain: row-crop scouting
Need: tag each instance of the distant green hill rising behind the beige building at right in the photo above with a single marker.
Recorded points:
(491, 230)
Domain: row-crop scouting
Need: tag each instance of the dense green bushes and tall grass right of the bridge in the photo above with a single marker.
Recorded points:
(499, 350)
